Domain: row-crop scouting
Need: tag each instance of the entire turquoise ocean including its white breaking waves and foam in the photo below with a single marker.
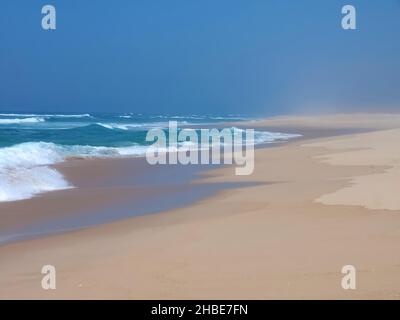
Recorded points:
(31, 142)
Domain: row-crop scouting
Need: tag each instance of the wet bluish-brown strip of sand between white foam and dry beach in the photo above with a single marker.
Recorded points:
(104, 190)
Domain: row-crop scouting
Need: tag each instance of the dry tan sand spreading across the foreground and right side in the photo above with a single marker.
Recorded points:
(270, 240)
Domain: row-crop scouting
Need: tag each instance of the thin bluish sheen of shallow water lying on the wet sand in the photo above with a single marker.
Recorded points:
(166, 188)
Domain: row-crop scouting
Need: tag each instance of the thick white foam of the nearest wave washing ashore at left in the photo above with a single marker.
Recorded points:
(25, 171)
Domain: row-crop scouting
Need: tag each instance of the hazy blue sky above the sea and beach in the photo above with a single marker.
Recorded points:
(189, 56)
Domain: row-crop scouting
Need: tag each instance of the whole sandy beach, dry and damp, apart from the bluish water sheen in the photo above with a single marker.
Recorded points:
(312, 206)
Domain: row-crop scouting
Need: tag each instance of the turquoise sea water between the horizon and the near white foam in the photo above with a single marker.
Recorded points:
(109, 130)
